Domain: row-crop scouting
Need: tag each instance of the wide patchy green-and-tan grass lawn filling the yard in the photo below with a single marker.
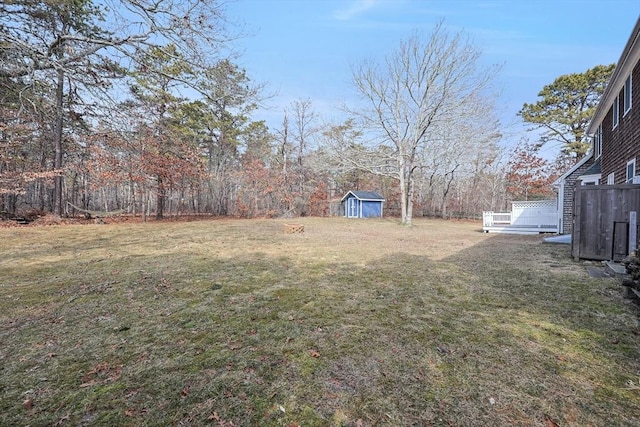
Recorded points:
(353, 323)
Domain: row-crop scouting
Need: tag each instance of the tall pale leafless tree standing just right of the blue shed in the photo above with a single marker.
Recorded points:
(416, 98)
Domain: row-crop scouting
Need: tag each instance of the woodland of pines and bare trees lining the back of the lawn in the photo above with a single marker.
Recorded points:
(134, 106)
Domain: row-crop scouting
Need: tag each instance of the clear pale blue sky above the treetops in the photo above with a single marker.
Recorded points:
(306, 49)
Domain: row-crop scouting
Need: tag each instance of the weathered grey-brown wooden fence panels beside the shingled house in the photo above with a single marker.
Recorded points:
(601, 221)
